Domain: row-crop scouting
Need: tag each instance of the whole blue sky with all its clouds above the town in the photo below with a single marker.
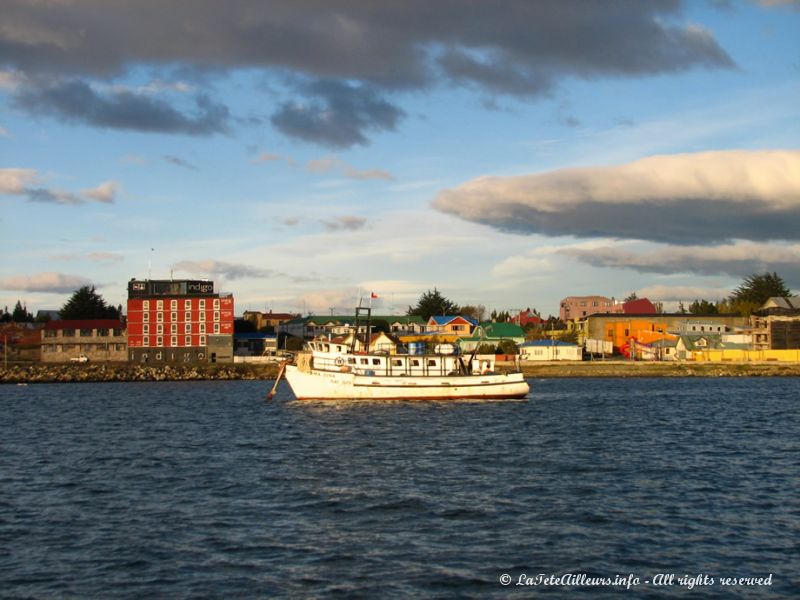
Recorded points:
(301, 153)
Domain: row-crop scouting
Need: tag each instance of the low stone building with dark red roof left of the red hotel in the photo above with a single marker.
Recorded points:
(99, 340)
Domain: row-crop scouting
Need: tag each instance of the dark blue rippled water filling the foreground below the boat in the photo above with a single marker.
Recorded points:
(149, 490)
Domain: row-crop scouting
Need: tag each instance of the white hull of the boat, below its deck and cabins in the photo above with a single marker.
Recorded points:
(331, 385)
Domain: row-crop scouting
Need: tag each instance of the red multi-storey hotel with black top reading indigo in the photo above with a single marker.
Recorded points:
(178, 321)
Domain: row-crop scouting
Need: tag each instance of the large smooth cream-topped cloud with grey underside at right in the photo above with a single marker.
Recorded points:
(703, 198)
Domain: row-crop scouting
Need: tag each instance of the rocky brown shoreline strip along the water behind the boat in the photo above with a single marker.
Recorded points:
(110, 372)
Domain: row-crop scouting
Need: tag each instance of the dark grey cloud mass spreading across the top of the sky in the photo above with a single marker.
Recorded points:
(347, 55)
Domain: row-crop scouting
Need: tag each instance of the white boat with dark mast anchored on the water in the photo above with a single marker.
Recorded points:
(331, 369)
